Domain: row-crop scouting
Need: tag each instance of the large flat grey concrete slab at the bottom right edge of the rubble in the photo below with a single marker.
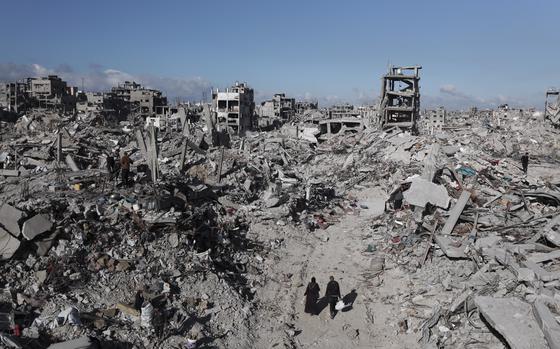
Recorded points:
(513, 319)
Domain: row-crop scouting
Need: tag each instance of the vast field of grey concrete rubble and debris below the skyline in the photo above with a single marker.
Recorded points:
(215, 241)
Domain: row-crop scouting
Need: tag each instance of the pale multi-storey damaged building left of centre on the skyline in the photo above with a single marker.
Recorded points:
(234, 108)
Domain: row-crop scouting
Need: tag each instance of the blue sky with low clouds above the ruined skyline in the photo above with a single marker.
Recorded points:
(472, 52)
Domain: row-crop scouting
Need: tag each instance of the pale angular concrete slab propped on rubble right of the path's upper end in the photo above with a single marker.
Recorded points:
(423, 191)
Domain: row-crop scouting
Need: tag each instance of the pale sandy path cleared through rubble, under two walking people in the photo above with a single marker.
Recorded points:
(338, 251)
